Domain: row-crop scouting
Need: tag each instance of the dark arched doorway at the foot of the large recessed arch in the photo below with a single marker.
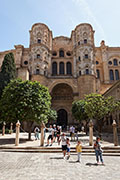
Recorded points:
(62, 119)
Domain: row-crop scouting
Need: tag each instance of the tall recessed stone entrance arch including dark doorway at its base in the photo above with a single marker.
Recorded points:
(62, 98)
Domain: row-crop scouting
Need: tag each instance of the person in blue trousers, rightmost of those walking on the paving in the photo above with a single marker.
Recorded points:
(98, 150)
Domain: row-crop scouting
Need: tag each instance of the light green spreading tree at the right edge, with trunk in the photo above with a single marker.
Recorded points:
(97, 107)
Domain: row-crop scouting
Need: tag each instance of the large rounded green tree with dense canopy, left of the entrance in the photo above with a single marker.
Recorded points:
(25, 101)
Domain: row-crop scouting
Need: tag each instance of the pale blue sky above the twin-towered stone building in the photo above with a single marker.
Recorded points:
(61, 16)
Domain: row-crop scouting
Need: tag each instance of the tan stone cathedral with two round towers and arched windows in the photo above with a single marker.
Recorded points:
(69, 66)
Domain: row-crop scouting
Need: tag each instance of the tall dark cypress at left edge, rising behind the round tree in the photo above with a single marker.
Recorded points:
(8, 71)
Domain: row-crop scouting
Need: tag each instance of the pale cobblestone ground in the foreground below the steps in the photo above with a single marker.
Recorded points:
(38, 166)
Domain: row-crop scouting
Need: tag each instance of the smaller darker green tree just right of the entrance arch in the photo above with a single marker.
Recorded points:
(78, 112)
